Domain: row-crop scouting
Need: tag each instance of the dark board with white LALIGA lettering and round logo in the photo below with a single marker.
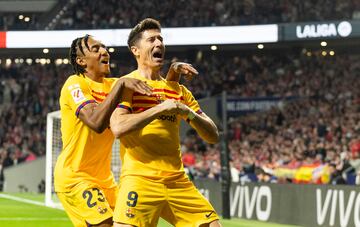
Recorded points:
(320, 30)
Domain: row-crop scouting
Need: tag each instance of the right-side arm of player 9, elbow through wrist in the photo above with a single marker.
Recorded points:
(203, 124)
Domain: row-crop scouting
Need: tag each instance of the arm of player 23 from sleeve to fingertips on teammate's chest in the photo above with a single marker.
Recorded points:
(97, 116)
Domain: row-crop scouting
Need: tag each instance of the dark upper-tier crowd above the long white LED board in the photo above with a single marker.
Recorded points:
(80, 14)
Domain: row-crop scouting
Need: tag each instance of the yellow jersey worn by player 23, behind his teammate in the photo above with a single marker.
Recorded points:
(85, 155)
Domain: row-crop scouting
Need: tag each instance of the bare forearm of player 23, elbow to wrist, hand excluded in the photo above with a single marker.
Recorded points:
(100, 116)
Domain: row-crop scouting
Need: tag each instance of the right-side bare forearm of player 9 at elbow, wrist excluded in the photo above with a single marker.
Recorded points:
(206, 128)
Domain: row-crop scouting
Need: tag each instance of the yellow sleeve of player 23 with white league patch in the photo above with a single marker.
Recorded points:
(76, 94)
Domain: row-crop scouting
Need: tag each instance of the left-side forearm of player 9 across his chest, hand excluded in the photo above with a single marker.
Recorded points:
(121, 124)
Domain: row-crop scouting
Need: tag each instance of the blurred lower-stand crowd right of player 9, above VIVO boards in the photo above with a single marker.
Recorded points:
(320, 129)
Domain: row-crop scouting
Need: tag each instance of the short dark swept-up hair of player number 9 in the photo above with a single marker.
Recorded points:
(136, 32)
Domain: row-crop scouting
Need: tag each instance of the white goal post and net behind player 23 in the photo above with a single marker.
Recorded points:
(53, 149)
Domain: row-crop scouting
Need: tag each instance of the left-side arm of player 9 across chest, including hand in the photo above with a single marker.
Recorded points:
(123, 122)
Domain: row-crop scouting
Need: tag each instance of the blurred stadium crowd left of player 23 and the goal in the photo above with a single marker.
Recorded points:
(27, 94)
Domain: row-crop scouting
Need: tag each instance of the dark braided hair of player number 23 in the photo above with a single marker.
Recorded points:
(75, 46)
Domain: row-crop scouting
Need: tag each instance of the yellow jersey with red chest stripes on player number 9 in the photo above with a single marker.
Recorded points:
(154, 151)
